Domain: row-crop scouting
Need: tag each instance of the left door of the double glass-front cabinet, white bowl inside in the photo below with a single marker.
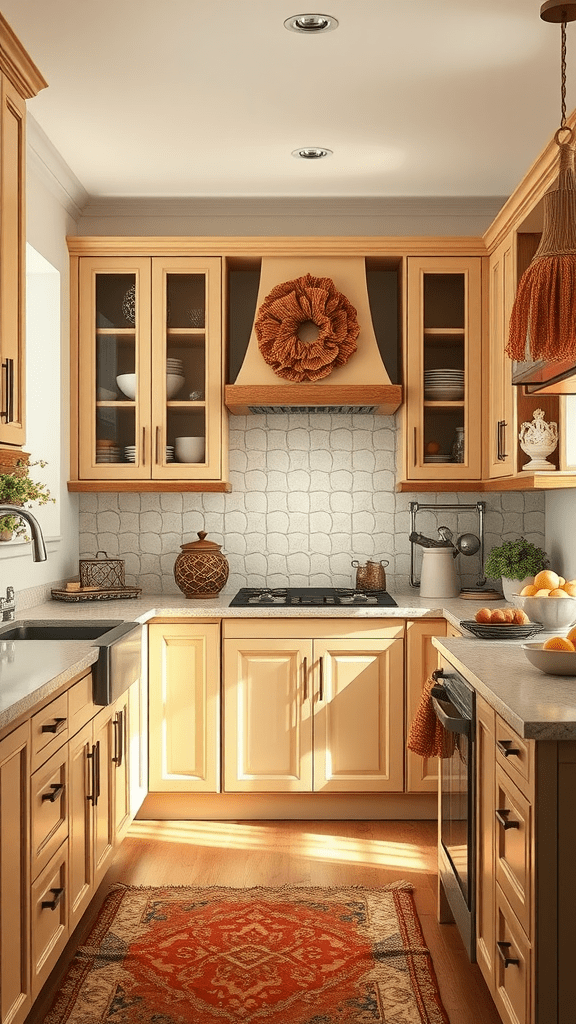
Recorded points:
(115, 374)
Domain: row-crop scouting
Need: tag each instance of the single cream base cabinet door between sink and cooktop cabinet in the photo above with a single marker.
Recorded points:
(185, 708)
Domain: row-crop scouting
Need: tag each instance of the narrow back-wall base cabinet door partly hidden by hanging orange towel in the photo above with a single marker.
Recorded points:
(422, 660)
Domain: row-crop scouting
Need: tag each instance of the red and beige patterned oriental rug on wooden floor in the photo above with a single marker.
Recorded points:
(289, 956)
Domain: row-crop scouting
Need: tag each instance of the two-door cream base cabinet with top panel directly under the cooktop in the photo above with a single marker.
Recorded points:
(313, 706)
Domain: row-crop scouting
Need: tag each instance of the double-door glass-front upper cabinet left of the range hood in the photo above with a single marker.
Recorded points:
(150, 369)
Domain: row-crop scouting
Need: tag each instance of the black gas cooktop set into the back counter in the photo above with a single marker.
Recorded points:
(316, 598)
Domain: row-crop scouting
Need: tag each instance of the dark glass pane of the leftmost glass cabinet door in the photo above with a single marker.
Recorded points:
(115, 377)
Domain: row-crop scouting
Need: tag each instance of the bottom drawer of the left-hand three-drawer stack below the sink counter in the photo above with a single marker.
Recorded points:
(50, 918)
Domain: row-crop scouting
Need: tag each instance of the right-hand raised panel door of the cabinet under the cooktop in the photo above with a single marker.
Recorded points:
(359, 716)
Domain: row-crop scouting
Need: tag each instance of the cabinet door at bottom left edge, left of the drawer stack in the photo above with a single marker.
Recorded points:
(15, 877)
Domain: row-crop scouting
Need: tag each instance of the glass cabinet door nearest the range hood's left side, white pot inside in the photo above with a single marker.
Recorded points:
(187, 369)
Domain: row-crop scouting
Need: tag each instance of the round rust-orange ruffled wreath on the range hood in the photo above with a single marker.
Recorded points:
(297, 303)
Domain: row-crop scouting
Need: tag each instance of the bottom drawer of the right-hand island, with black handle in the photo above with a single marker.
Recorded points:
(514, 966)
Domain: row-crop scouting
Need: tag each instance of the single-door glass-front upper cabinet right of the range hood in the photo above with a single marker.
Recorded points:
(443, 369)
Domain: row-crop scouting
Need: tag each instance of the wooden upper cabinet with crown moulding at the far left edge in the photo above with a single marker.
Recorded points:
(20, 80)
